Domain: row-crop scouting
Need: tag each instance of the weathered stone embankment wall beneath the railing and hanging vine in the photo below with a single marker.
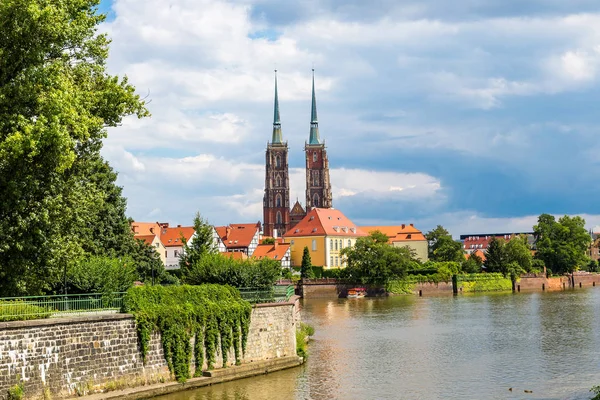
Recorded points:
(69, 356)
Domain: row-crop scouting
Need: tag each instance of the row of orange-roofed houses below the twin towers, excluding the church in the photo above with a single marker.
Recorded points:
(324, 231)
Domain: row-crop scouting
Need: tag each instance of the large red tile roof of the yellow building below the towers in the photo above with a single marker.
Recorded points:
(325, 221)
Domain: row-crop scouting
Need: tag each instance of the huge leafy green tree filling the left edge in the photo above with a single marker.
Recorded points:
(56, 101)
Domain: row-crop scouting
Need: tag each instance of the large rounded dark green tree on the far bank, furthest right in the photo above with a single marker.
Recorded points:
(562, 244)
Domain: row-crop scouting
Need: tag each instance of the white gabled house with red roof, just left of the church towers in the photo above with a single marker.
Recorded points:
(237, 238)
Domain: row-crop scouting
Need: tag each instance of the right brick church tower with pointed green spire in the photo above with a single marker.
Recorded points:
(318, 185)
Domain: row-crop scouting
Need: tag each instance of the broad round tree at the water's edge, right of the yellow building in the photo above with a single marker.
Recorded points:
(372, 262)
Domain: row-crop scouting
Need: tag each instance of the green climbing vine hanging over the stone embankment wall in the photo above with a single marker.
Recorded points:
(210, 314)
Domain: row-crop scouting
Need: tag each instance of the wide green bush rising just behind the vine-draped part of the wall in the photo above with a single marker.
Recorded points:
(223, 270)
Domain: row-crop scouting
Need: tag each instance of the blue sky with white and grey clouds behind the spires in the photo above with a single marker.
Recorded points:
(477, 115)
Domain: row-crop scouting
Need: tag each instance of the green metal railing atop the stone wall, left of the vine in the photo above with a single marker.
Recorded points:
(36, 307)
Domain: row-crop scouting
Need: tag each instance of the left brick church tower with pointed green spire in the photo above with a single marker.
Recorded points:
(276, 202)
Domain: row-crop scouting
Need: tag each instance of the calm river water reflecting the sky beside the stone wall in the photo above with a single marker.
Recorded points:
(464, 347)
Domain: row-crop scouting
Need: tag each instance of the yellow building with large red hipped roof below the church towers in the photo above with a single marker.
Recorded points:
(325, 231)
